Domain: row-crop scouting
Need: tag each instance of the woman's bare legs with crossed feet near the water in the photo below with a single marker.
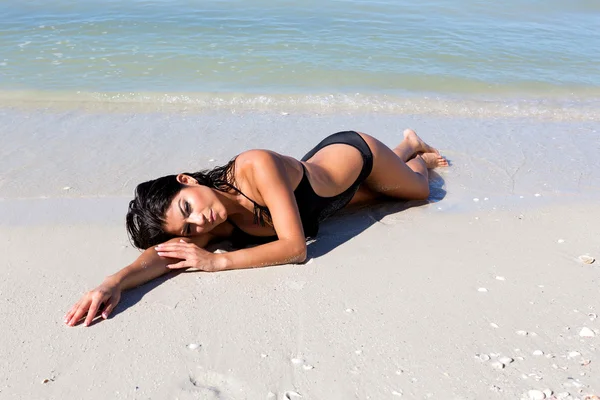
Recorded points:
(400, 173)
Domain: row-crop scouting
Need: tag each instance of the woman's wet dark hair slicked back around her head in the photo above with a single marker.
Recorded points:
(146, 214)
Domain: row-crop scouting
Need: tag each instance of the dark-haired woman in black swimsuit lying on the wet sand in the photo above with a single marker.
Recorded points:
(260, 197)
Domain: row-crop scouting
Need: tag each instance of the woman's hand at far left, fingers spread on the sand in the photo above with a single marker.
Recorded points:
(108, 293)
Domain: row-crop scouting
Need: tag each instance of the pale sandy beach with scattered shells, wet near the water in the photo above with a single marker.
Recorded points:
(391, 303)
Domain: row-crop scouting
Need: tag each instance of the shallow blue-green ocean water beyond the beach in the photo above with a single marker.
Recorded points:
(522, 57)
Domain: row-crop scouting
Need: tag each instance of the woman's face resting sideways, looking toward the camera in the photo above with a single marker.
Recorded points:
(196, 209)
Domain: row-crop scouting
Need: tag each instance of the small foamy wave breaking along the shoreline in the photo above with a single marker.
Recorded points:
(554, 109)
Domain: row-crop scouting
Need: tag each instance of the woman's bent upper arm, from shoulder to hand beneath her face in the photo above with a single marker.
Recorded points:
(265, 172)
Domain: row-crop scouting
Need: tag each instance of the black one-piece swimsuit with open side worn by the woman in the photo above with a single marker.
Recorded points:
(312, 207)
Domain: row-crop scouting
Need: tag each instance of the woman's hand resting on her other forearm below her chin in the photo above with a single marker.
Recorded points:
(191, 256)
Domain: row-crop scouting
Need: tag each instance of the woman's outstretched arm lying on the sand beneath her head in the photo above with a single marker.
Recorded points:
(146, 267)
